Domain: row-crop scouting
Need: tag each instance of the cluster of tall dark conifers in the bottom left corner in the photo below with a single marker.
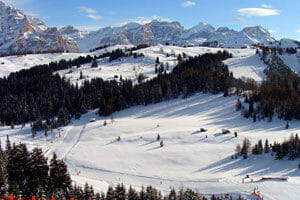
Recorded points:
(25, 173)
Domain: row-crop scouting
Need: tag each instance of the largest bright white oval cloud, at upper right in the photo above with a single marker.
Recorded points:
(258, 12)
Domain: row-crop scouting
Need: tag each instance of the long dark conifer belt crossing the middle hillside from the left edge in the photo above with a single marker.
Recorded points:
(40, 94)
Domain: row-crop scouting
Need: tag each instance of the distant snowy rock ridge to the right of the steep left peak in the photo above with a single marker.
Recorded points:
(158, 32)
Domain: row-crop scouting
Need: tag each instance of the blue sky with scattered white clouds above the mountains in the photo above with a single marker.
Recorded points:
(281, 17)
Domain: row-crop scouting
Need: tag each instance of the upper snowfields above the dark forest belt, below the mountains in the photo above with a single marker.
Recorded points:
(245, 63)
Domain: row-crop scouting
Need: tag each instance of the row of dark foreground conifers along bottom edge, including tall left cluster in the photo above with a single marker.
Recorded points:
(26, 173)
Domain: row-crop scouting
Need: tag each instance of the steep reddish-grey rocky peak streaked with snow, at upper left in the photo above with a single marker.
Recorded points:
(23, 33)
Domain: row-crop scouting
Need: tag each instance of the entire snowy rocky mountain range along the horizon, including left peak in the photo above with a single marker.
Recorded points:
(22, 33)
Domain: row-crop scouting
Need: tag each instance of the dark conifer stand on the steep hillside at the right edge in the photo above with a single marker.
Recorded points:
(278, 94)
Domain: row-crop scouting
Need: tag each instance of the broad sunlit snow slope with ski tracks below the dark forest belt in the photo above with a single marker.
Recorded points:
(187, 159)
